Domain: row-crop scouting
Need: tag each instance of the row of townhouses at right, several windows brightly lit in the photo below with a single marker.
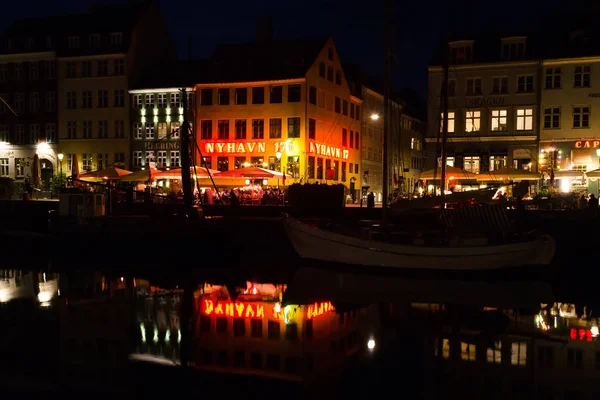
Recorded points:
(514, 105)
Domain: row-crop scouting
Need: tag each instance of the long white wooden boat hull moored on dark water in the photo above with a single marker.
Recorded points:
(316, 244)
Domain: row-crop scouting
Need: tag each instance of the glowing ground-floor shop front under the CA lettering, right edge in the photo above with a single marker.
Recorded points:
(571, 166)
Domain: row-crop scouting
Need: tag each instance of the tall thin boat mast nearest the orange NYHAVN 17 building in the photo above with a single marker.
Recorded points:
(387, 115)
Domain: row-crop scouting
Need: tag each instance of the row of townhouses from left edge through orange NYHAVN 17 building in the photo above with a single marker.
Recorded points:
(108, 93)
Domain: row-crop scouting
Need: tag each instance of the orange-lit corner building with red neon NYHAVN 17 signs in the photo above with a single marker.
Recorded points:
(280, 103)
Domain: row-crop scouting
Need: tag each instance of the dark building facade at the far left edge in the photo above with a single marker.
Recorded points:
(28, 109)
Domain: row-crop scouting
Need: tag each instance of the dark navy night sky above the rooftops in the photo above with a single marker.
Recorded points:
(356, 26)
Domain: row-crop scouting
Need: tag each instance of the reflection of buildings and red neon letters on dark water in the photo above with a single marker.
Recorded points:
(88, 330)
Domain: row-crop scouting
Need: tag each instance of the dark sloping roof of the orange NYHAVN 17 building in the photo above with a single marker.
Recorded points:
(264, 61)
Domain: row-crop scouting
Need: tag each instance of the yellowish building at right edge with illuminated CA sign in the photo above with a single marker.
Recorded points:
(570, 130)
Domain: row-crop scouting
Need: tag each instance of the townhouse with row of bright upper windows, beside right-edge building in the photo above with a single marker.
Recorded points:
(493, 113)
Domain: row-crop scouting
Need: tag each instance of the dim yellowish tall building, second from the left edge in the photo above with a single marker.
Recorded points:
(94, 74)
